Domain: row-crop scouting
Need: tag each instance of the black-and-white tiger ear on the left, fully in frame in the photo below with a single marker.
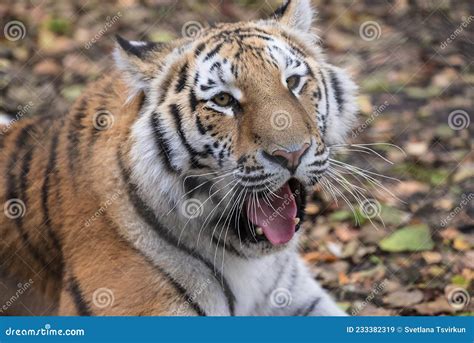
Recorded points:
(140, 61)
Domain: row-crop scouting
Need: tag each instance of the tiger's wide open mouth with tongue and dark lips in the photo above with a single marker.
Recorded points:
(274, 216)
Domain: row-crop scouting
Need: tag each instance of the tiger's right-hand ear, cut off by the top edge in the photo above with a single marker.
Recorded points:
(297, 14)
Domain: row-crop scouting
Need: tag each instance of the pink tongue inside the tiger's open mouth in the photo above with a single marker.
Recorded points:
(278, 219)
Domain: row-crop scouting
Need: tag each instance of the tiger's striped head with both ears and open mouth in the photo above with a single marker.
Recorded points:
(240, 117)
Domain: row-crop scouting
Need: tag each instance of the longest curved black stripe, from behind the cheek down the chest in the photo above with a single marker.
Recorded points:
(147, 214)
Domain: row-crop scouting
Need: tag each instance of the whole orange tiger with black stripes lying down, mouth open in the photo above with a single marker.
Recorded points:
(176, 184)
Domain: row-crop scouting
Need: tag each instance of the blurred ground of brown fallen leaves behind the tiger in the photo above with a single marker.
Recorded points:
(406, 246)
